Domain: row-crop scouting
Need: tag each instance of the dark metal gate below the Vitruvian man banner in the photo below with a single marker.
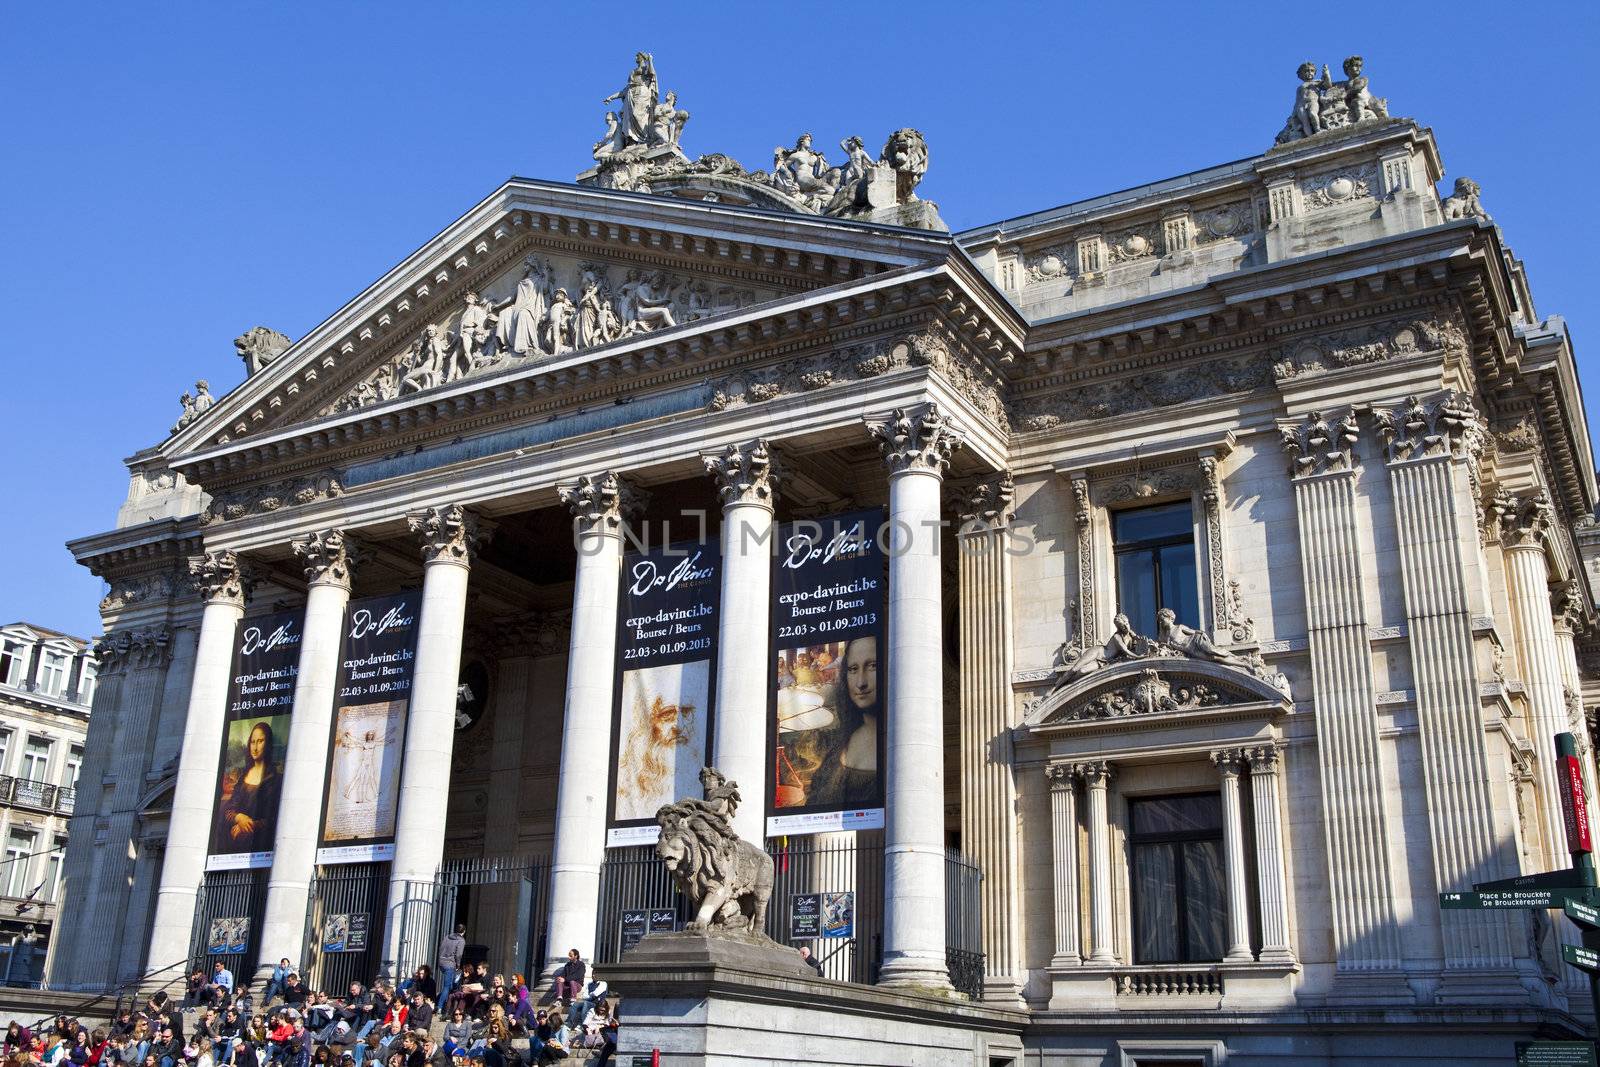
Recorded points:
(343, 900)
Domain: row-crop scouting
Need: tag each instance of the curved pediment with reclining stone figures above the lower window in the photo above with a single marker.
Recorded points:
(1177, 671)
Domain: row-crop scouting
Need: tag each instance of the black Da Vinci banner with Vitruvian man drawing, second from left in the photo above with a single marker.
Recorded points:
(369, 730)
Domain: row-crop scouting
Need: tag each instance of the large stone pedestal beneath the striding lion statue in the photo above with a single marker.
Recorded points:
(743, 1001)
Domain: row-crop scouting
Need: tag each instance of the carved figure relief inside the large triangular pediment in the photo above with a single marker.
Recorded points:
(553, 306)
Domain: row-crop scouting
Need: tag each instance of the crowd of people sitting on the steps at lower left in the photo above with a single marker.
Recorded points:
(463, 1015)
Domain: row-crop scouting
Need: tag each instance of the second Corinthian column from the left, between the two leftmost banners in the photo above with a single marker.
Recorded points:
(327, 561)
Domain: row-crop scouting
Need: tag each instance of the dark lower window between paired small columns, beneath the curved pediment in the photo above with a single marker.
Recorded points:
(1180, 889)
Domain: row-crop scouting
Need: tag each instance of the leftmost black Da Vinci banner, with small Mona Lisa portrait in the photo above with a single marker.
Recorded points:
(255, 738)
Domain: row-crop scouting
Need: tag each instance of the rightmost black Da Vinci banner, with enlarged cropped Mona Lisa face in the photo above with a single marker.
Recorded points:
(828, 684)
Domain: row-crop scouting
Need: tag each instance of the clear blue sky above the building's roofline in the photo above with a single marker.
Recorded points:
(177, 174)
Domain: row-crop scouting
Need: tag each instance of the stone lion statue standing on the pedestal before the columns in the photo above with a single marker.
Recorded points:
(727, 879)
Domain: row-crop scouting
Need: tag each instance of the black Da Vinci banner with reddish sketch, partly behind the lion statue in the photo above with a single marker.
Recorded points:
(665, 685)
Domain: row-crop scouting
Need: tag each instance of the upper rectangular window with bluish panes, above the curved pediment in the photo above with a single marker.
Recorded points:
(1156, 564)
